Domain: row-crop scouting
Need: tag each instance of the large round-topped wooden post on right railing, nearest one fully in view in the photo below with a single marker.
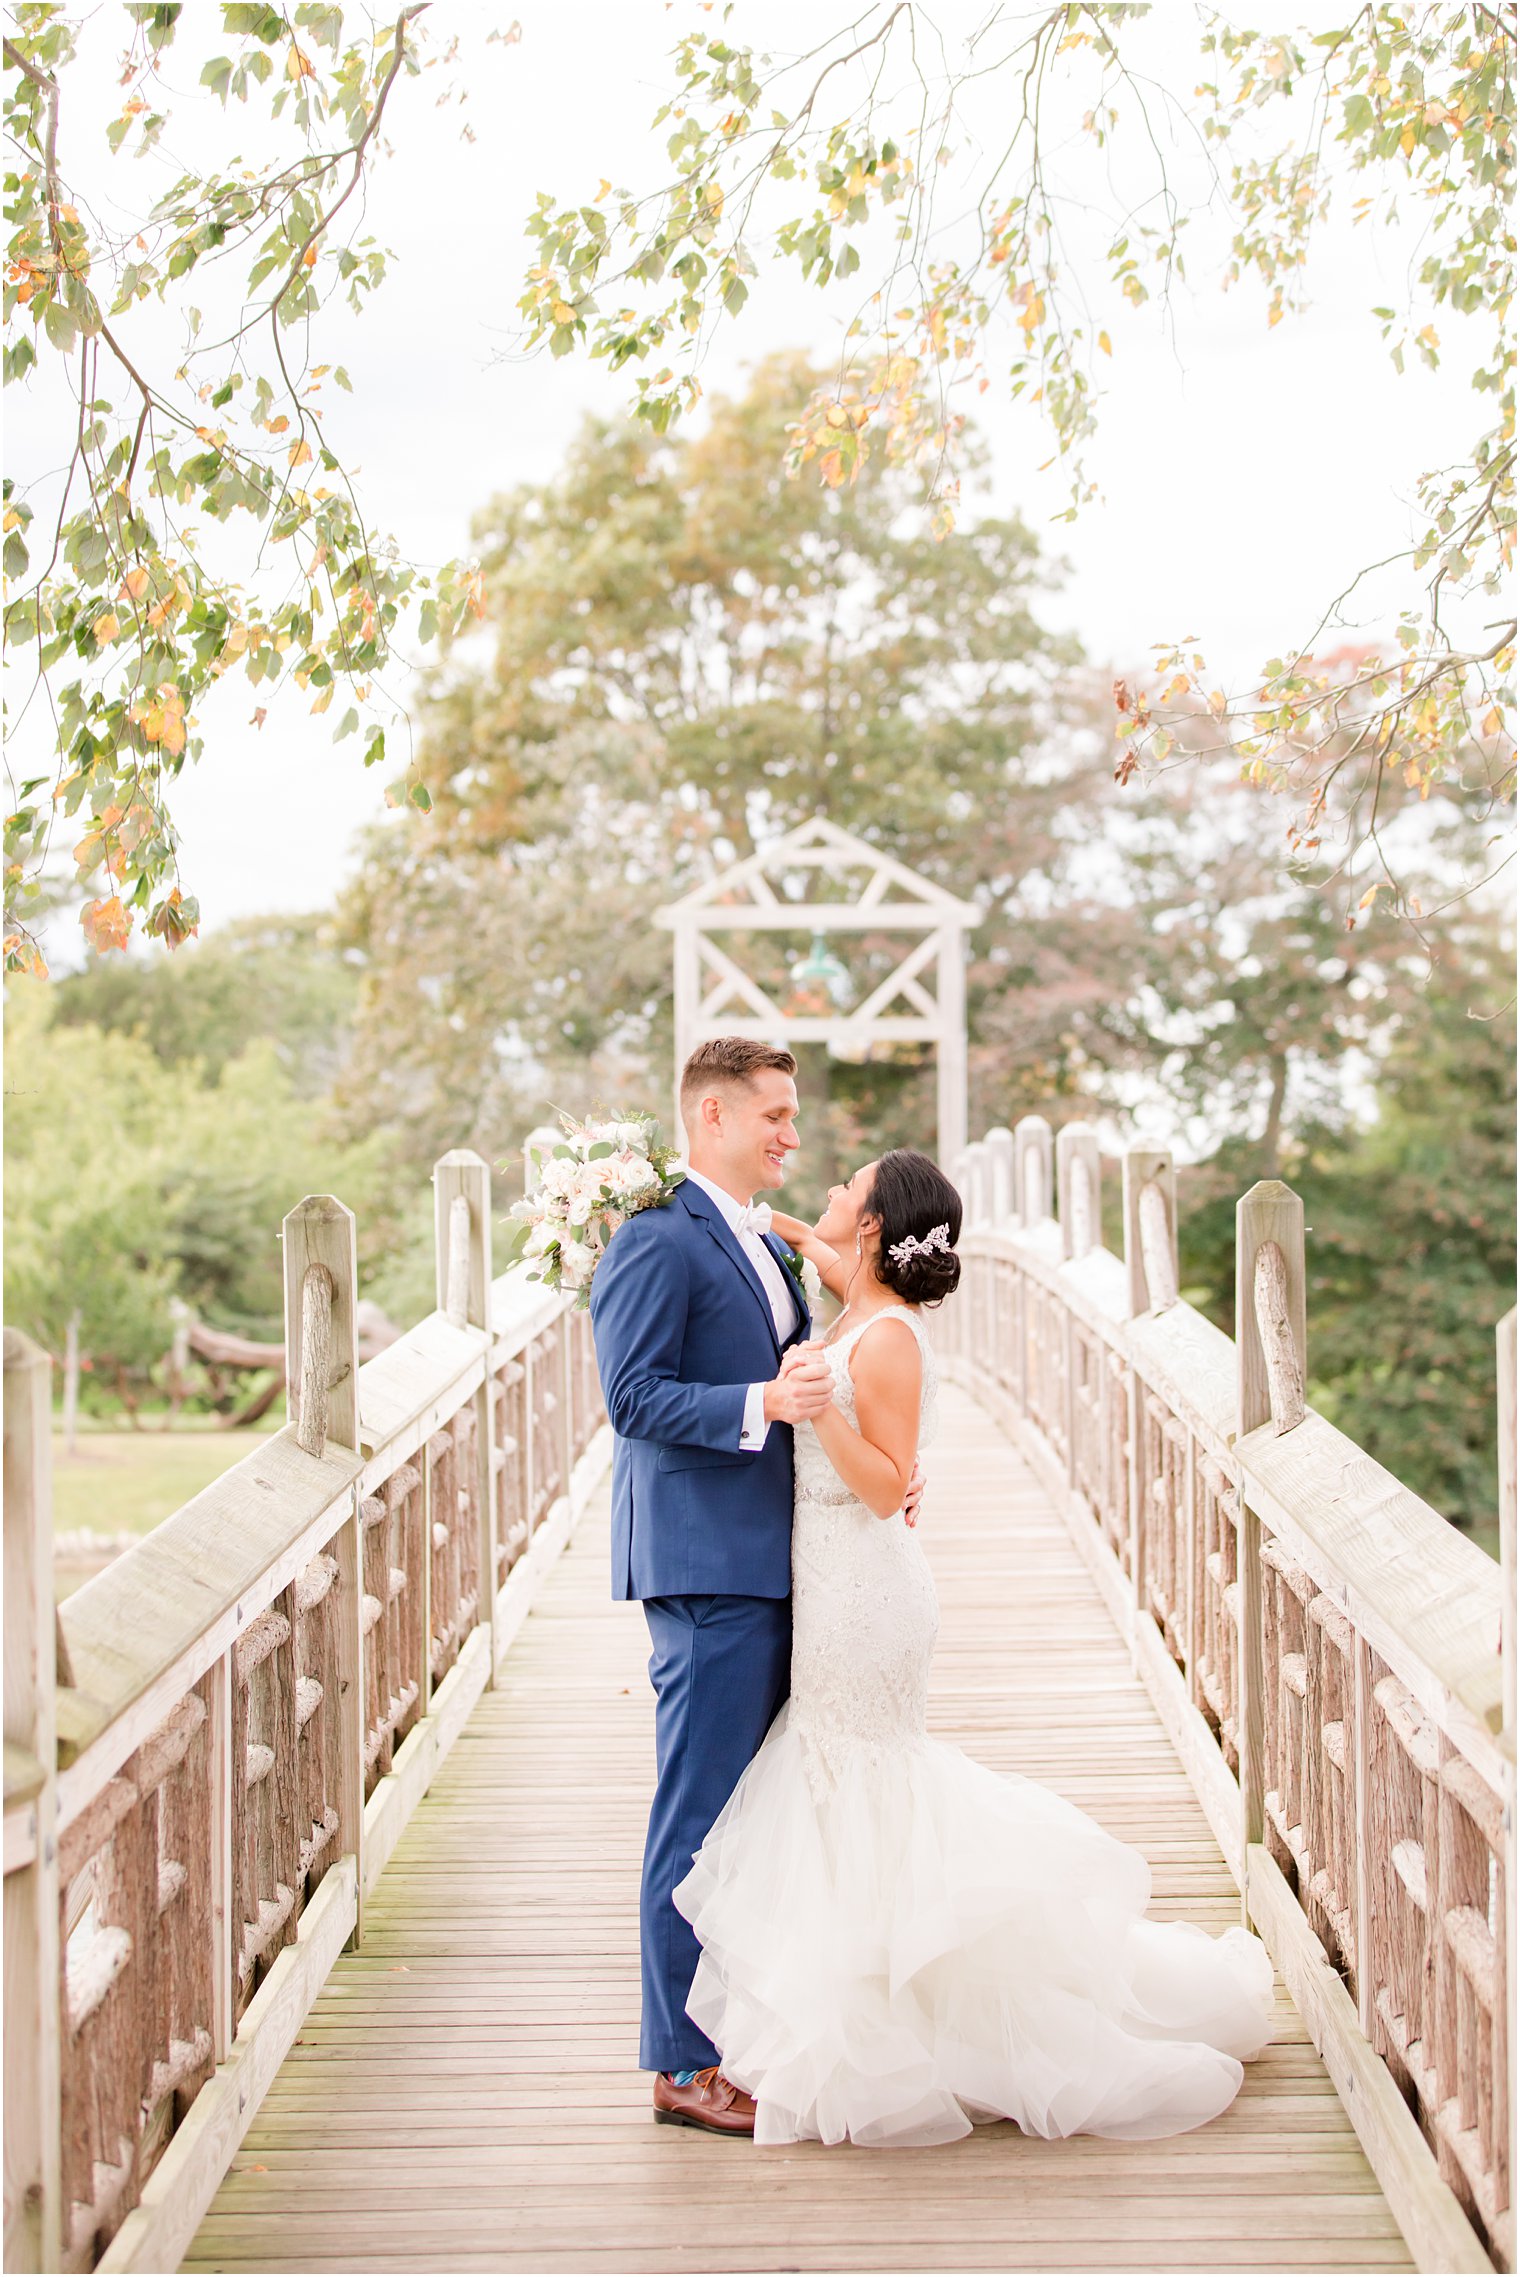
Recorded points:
(1271, 1363)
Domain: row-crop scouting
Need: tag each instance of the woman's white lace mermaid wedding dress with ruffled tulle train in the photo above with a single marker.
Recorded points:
(898, 1941)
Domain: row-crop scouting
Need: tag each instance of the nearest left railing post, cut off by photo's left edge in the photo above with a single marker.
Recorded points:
(33, 2112)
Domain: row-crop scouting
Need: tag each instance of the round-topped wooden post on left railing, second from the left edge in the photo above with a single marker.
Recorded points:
(322, 1294)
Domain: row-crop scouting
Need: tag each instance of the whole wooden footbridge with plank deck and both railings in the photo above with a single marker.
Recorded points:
(324, 1805)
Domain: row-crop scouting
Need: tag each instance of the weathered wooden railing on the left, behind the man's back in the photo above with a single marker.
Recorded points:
(213, 1754)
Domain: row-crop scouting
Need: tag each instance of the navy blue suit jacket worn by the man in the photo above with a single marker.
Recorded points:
(684, 1329)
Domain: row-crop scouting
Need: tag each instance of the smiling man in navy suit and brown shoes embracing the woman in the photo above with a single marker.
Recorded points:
(695, 1313)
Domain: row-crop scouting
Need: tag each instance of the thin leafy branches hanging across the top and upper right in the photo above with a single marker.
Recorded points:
(841, 163)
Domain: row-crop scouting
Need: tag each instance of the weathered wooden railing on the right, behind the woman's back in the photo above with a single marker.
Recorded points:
(1323, 1647)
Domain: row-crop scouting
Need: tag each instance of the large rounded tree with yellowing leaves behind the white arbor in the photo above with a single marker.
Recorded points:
(691, 652)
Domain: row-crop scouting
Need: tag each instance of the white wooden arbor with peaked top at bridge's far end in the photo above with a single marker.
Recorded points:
(923, 1001)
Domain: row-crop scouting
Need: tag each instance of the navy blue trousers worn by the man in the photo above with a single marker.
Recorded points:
(720, 1668)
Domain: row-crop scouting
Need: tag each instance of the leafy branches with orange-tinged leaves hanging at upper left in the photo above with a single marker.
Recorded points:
(119, 611)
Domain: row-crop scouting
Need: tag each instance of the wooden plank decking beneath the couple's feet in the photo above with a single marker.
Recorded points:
(465, 2091)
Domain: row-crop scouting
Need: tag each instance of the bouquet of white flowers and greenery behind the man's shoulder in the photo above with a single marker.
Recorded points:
(602, 1172)
